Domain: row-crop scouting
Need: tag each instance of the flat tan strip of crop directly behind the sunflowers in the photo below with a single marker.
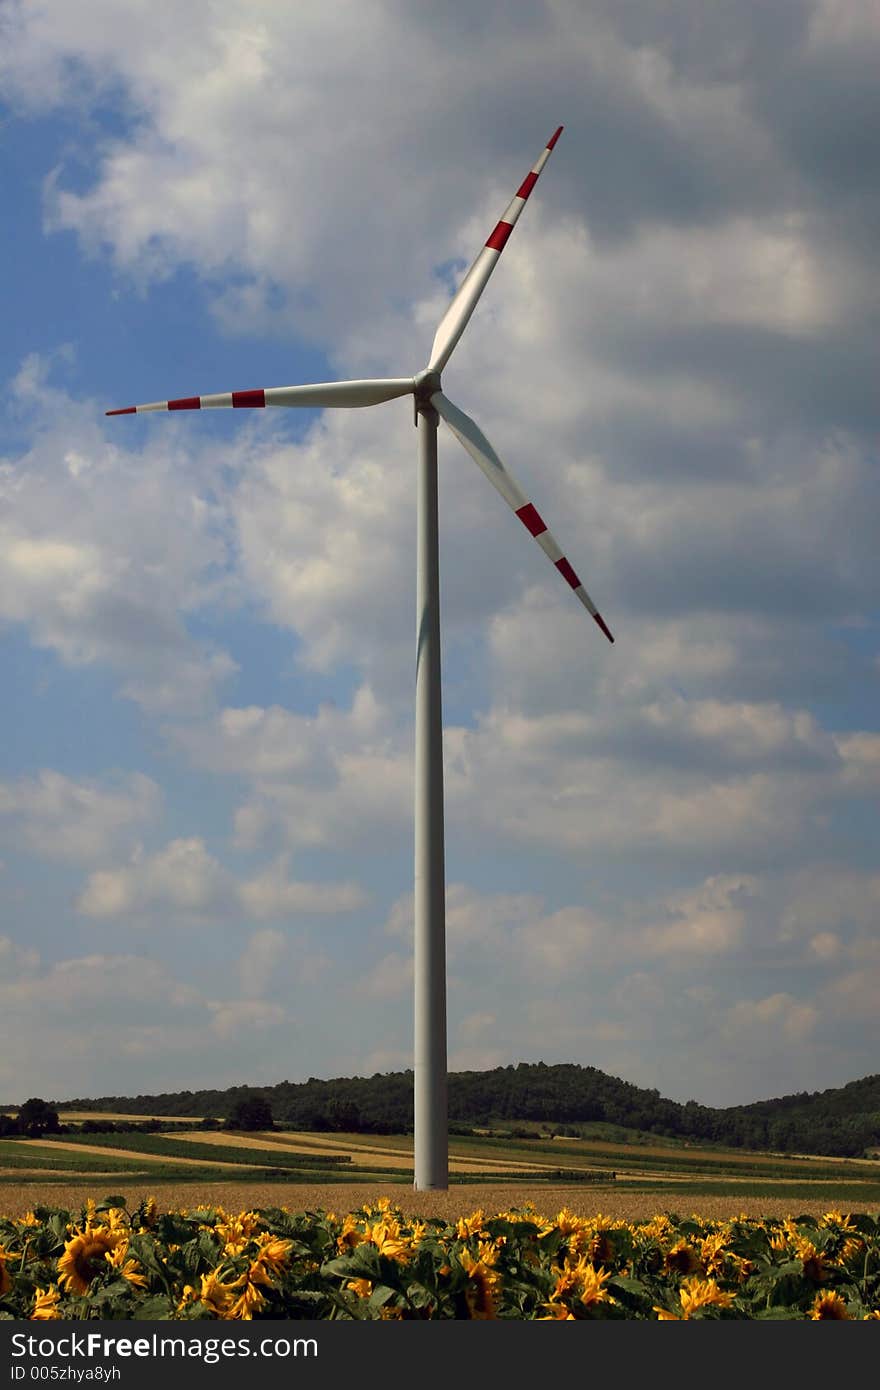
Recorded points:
(458, 1202)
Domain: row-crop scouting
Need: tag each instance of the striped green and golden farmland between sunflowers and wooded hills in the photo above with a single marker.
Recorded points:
(341, 1172)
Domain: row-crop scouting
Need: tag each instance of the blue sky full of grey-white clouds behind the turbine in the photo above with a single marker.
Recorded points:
(662, 857)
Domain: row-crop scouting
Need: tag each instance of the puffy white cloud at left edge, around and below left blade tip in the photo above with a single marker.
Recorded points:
(104, 554)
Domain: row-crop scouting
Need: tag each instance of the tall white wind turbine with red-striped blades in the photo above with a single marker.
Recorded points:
(432, 1143)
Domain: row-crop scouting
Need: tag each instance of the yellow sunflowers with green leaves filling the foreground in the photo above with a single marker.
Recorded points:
(108, 1263)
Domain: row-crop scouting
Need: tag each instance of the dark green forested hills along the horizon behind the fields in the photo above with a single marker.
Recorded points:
(843, 1122)
